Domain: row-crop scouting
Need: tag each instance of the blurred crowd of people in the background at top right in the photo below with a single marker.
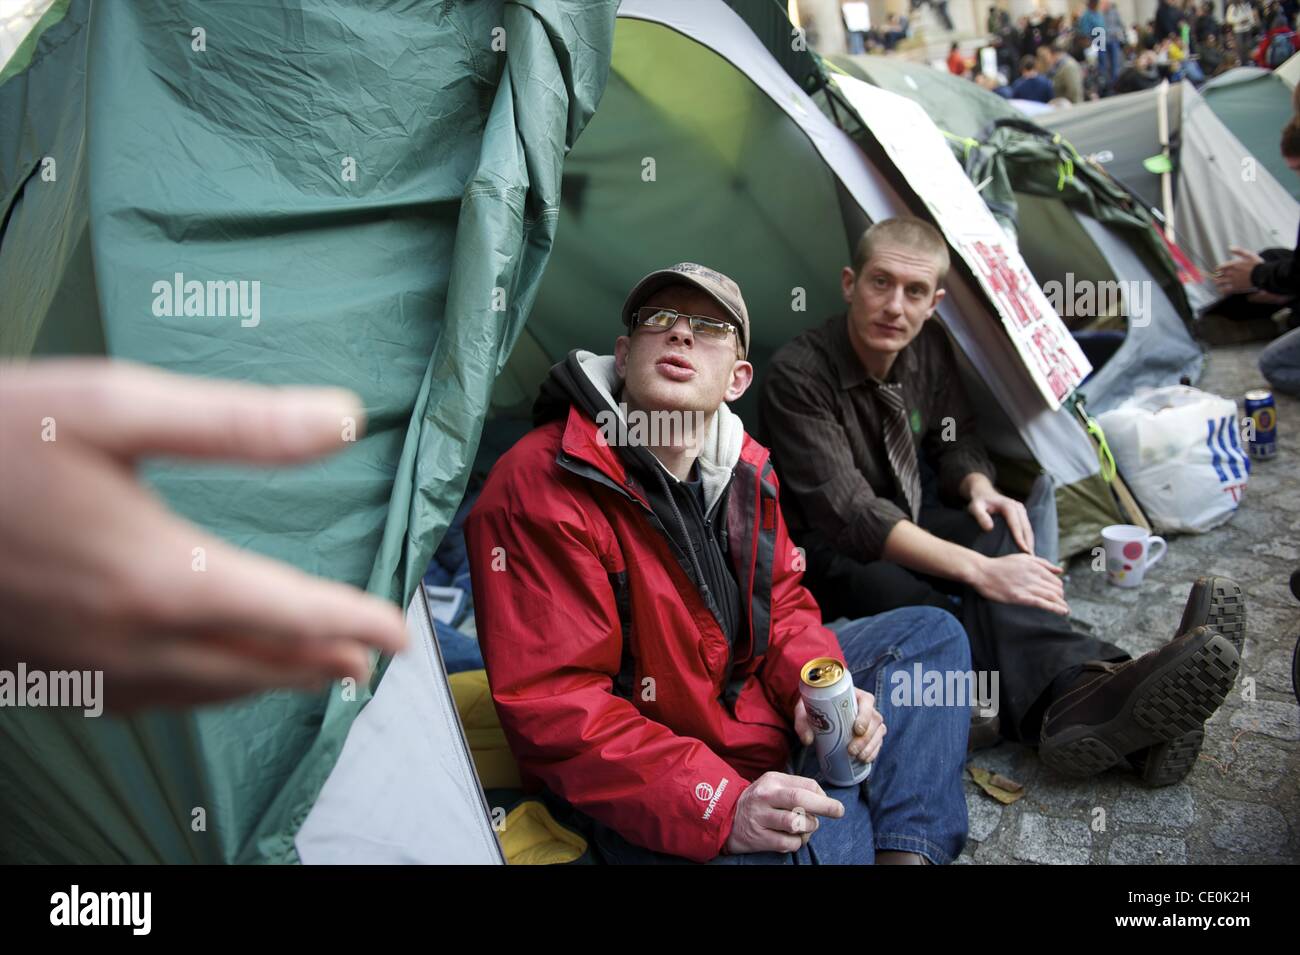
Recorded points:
(1097, 54)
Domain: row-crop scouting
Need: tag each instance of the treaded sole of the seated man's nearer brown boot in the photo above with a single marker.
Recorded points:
(1171, 704)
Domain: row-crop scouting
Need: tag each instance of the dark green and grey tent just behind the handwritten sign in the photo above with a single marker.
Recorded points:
(1074, 227)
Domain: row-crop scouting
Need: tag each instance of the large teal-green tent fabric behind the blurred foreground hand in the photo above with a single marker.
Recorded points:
(409, 284)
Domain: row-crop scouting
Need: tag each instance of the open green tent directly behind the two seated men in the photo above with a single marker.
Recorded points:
(752, 176)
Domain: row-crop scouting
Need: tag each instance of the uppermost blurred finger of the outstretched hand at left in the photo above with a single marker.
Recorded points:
(131, 411)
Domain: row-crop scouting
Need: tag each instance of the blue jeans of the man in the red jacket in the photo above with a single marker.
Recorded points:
(913, 801)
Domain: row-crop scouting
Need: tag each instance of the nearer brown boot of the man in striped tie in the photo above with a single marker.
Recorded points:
(1119, 709)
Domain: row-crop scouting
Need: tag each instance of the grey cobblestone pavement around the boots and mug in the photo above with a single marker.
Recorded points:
(1242, 802)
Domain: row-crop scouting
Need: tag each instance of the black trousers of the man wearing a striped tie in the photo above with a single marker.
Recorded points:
(1028, 648)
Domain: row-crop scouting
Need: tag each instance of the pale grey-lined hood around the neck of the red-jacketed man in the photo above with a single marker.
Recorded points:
(592, 384)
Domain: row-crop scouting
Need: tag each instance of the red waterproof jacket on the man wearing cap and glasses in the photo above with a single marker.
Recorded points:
(574, 585)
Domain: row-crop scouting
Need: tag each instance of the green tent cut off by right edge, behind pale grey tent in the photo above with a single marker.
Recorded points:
(1255, 106)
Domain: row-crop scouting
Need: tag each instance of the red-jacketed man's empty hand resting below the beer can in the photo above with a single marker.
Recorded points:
(778, 814)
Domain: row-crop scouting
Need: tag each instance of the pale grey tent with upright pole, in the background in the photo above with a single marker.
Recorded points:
(1215, 203)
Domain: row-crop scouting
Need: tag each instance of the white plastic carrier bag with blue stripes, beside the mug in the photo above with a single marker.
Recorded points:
(1181, 453)
